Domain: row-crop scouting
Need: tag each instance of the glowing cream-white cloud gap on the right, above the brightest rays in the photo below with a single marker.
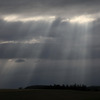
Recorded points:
(80, 19)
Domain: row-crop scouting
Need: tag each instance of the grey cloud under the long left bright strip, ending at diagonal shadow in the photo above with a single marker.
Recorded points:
(22, 31)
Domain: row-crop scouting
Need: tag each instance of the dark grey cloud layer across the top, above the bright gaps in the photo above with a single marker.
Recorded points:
(37, 7)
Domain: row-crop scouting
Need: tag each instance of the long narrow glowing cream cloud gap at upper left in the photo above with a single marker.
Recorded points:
(15, 18)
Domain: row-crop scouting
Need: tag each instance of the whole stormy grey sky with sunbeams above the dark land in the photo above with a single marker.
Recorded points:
(45, 42)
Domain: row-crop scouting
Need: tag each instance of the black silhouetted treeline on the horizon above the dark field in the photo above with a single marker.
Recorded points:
(66, 87)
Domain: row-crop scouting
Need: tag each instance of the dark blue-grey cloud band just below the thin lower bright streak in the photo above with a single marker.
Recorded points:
(47, 51)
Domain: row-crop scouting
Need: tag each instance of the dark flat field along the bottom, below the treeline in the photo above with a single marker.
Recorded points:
(48, 95)
